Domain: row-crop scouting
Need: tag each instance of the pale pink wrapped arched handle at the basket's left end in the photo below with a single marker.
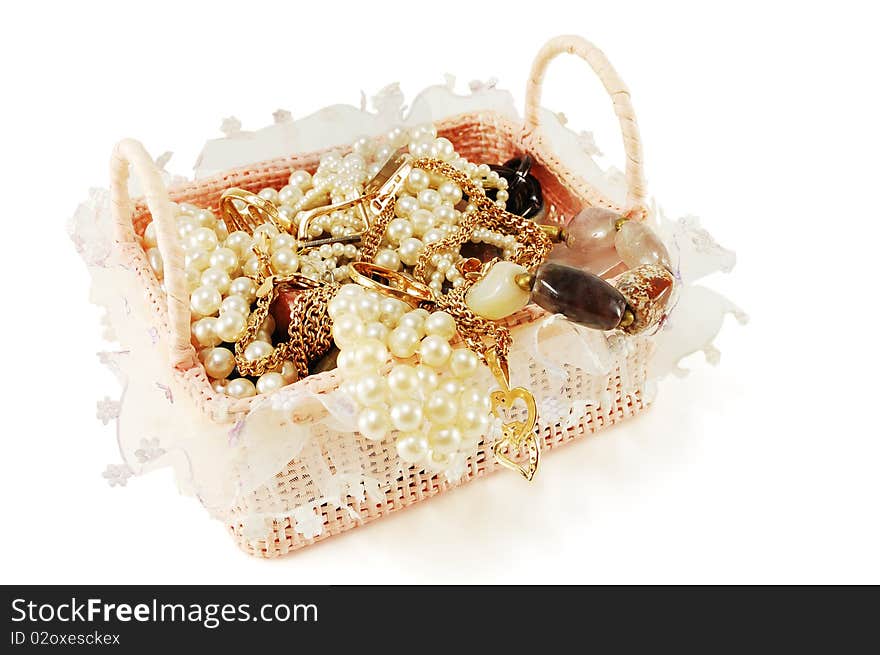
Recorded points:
(131, 154)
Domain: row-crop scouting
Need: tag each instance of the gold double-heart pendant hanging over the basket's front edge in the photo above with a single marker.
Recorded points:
(515, 435)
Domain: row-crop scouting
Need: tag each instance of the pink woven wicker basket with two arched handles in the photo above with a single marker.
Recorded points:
(482, 137)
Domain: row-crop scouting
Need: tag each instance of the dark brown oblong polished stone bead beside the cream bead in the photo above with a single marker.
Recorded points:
(579, 295)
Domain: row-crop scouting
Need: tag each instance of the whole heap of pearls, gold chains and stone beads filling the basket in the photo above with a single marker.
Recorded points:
(394, 264)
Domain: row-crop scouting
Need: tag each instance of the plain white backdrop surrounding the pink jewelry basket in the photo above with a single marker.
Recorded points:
(759, 117)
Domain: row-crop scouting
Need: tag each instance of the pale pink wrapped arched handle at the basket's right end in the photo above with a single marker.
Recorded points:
(575, 45)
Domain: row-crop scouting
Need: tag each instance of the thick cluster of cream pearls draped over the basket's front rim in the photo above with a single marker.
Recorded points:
(428, 397)
